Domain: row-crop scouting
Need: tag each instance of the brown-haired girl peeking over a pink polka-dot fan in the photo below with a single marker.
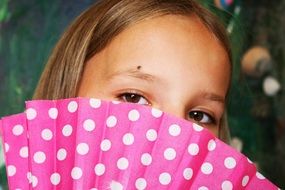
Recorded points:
(169, 54)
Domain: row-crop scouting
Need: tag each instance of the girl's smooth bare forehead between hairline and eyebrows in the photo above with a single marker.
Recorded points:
(170, 47)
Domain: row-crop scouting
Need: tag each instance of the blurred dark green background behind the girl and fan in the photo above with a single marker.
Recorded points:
(256, 109)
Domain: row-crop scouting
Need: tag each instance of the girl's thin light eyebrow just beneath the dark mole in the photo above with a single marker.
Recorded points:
(135, 73)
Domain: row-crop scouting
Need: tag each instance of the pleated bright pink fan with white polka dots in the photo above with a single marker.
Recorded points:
(85, 143)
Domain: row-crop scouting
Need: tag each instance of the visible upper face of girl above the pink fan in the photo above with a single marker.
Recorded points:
(172, 63)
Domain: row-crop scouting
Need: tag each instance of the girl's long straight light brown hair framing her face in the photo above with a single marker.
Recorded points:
(97, 26)
